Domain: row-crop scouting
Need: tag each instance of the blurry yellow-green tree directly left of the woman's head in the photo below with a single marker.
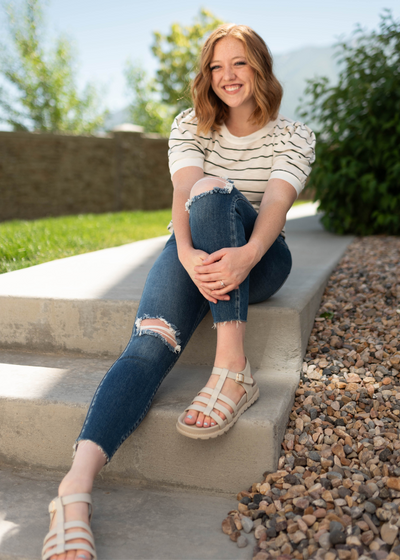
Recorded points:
(156, 101)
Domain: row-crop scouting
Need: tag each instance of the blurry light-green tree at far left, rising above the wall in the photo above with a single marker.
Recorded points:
(42, 93)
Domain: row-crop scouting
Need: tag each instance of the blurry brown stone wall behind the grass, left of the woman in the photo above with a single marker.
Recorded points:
(56, 174)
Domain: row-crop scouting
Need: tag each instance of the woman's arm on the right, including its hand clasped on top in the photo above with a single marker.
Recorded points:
(232, 265)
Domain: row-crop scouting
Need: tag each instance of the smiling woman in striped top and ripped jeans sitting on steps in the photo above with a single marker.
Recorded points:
(237, 167)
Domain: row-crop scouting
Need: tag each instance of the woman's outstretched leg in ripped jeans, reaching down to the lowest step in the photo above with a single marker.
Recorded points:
(125, 394)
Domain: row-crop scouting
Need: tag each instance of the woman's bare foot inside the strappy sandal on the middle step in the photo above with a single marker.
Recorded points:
(230, 389)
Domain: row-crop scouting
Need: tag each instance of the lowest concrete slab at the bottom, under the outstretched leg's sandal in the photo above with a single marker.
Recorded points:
(129, 522)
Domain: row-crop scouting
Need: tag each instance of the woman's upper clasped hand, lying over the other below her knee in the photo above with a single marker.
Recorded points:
(230, 266)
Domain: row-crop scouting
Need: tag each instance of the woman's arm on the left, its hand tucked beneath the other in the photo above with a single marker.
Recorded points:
(183, 180)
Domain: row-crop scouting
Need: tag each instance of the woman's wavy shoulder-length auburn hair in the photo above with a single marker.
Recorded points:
(210, 111)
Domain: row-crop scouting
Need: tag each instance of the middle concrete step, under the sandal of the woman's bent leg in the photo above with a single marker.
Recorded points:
(44, 399)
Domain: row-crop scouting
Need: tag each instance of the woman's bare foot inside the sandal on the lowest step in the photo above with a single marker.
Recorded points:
(78, 511)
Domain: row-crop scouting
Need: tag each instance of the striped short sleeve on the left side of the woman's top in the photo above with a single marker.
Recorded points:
(185, 148)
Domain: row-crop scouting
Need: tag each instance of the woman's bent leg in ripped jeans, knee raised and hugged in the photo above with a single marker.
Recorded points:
(220, 216)
